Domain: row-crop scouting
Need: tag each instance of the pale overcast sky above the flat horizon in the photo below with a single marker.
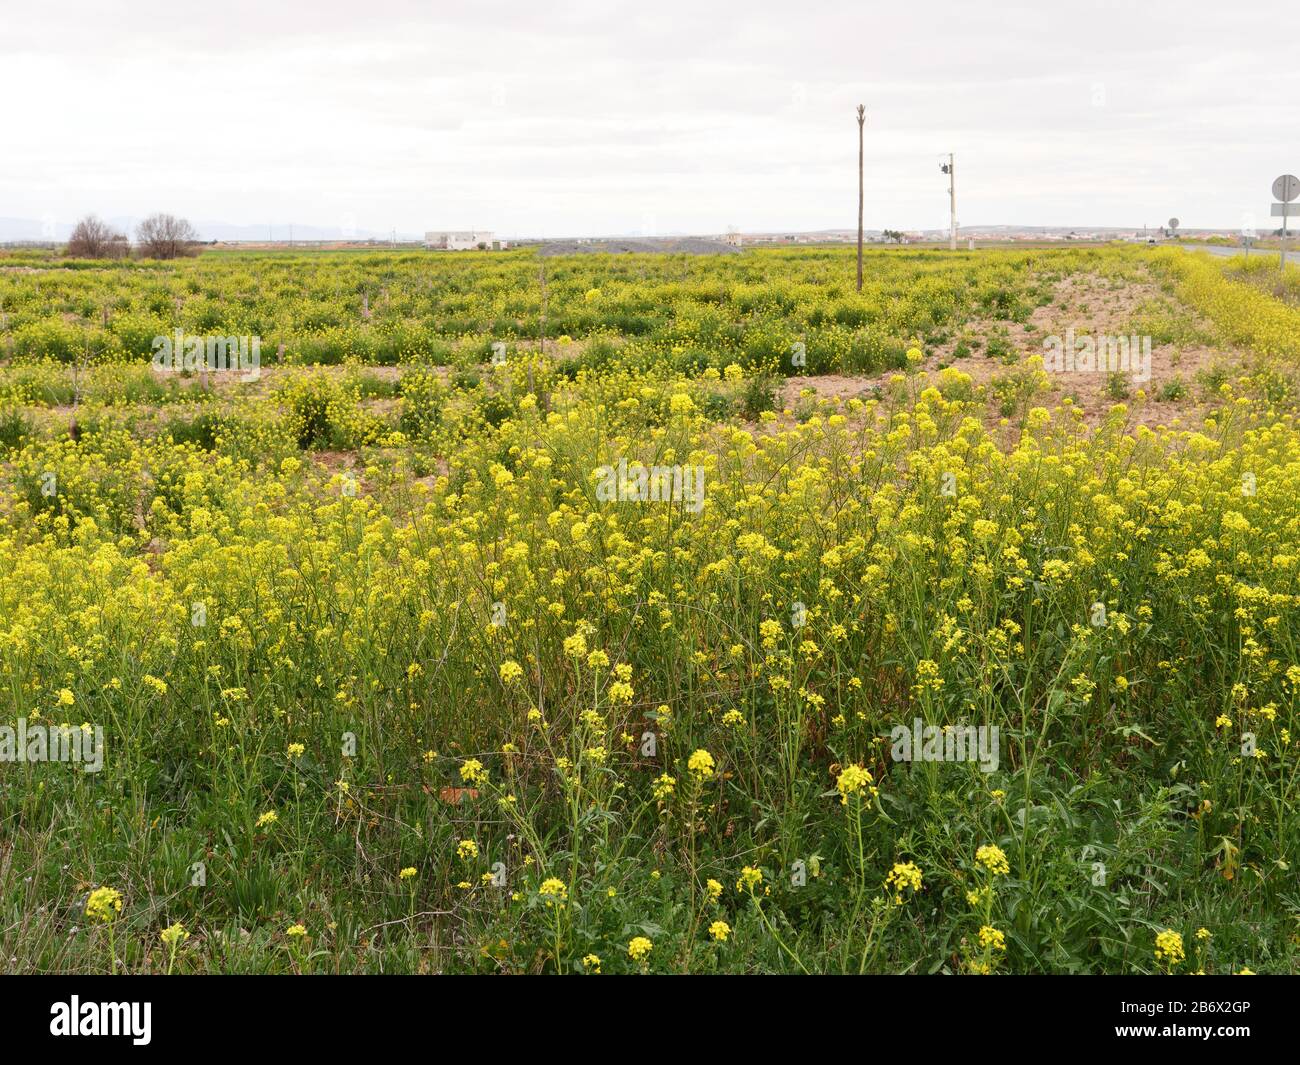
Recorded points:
(596, 116)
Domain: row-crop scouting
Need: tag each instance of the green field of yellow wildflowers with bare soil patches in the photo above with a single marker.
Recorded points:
(522, 618)
